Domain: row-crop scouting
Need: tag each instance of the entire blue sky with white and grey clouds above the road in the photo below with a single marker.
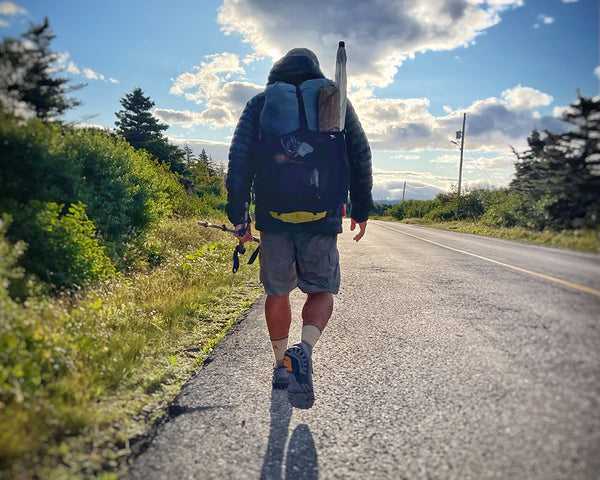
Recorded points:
(414, 67)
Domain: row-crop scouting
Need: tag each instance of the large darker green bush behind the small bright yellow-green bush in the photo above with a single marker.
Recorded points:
(125, 191)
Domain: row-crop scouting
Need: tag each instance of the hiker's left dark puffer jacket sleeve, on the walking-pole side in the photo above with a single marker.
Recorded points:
(241, 169)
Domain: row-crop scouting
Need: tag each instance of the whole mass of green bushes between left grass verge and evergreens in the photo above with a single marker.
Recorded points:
(124, 191)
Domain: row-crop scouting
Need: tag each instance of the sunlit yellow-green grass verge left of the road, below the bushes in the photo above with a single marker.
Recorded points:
(116, 354)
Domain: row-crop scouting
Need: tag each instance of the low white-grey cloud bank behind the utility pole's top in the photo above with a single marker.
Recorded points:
(492, 124)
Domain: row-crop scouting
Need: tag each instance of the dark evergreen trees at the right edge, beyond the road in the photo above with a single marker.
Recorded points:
(558, 177)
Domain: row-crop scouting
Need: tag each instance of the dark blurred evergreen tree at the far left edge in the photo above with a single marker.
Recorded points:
(28, 77)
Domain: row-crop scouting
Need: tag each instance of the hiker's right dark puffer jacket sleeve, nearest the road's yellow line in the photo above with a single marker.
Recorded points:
(359, 158)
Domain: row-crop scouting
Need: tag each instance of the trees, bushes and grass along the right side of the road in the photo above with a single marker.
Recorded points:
(553, 199)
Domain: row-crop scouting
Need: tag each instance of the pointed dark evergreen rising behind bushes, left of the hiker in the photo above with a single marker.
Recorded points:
(143, 131)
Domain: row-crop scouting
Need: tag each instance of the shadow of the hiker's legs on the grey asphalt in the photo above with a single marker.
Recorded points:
(301, 459)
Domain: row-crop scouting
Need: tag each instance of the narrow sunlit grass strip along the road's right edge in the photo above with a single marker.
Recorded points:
(585, 240)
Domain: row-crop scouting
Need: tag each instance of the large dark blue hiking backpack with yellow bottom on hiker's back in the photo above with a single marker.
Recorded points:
(302, 172)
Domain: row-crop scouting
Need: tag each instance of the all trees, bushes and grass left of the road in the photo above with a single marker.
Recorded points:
(111, 294)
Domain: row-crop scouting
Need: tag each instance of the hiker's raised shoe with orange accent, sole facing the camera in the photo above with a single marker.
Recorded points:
(298, 362)
